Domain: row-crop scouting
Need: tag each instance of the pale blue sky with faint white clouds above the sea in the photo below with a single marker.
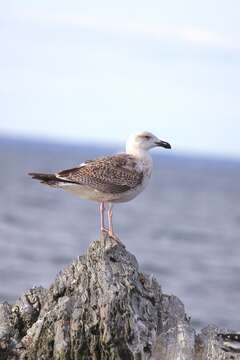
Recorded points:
(100, 70)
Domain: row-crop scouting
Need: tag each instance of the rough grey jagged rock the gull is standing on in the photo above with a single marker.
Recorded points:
(103, 307)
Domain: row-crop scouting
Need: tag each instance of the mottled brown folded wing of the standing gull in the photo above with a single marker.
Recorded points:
(114, 174)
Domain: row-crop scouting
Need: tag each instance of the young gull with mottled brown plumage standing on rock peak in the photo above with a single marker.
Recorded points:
(110, 179)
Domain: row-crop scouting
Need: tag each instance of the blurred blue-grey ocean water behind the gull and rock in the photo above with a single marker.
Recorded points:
(184, 229)
